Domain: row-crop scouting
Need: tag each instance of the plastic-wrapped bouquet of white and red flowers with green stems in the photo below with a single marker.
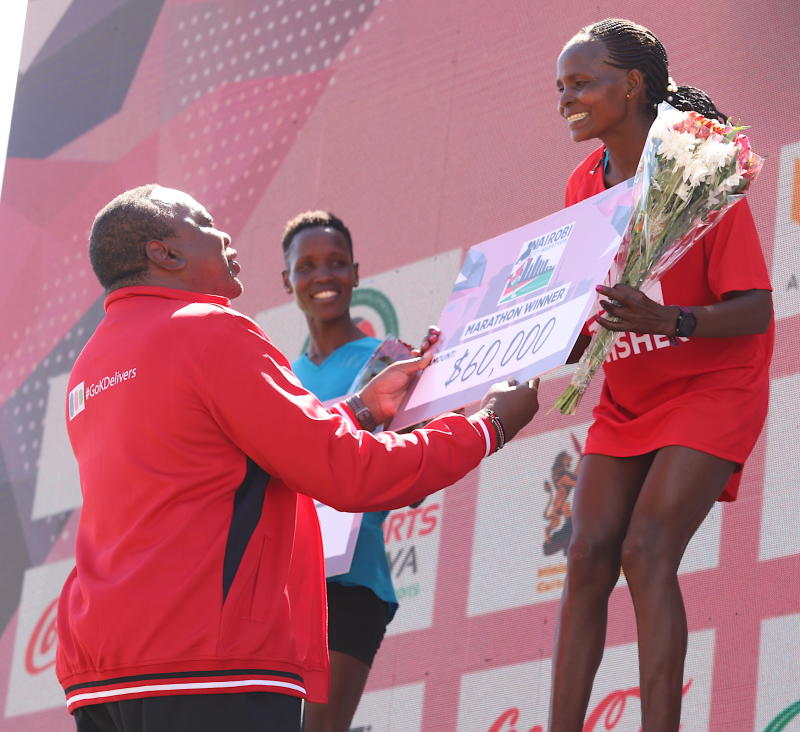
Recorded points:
(692, 170)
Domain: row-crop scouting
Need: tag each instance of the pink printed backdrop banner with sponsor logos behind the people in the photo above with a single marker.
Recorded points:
(427, 127)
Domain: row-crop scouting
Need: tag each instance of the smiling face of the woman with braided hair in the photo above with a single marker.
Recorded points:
(592, 93)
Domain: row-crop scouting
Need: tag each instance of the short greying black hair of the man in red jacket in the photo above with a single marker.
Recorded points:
(119, 234)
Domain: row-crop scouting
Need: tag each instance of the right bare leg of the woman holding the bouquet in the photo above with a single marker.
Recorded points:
(677, 495)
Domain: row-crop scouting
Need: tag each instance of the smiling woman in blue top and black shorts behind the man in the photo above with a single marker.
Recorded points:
(321, 273)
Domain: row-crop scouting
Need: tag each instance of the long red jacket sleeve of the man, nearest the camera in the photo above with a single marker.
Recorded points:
(263, 409)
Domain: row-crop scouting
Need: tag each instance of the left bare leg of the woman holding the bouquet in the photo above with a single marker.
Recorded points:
(605, 495)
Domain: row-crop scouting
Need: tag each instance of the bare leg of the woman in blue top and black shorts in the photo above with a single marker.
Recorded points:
(348, 679)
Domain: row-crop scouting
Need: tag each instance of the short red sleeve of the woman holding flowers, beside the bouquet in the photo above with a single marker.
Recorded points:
(734, 254)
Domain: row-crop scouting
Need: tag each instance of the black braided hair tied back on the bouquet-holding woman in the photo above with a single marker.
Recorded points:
(632, 46)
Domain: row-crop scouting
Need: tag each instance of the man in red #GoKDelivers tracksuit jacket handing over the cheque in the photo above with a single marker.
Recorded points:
(198, 597)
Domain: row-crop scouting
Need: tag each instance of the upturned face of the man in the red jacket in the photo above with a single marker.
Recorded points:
(210, 261)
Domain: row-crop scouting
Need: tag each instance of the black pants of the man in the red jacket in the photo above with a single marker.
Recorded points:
(248, 712)
